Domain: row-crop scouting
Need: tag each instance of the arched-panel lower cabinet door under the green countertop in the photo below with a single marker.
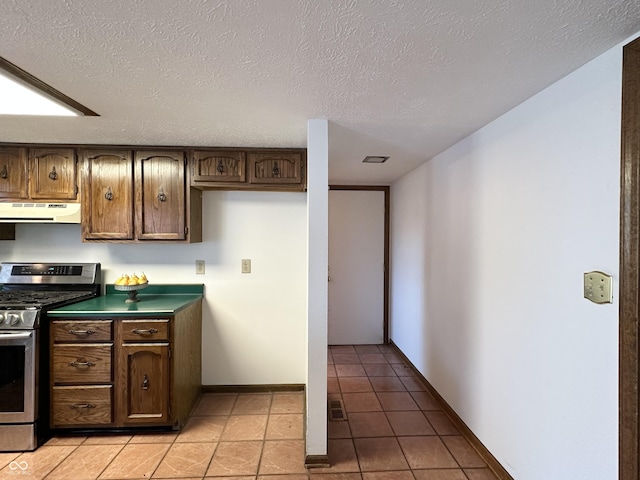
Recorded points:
(144, 384)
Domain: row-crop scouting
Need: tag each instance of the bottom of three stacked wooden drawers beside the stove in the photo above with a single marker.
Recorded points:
(82, 406)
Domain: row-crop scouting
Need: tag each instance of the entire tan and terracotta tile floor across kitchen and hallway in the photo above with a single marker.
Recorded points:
(394, 430)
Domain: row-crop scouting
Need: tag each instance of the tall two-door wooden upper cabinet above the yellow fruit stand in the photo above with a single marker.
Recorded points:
(138, 196)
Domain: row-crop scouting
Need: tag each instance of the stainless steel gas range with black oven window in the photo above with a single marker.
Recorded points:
(28, 291)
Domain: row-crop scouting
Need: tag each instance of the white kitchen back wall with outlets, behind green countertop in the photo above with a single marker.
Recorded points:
(254, 325)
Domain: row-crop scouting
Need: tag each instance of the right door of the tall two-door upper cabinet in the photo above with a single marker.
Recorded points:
(160, 195)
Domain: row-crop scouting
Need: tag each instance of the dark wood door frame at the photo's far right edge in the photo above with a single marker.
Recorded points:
(629, 328)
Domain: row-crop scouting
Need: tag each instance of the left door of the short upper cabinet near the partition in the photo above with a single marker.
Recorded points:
(218, 166)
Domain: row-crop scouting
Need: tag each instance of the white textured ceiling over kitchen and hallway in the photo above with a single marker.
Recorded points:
(406, 78)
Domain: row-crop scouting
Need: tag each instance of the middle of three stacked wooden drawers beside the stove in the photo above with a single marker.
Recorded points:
(85, 363)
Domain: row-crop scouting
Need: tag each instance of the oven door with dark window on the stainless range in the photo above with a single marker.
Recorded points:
(18, 374)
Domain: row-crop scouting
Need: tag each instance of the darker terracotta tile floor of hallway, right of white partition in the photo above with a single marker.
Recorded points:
(395, 429)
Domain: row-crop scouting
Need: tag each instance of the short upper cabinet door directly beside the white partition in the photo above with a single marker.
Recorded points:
(275, 168)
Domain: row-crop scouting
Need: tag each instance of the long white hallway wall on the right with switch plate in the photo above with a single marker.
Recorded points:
(489, 244)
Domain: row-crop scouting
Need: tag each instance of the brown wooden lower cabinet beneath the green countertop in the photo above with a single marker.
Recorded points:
(123, 372)
